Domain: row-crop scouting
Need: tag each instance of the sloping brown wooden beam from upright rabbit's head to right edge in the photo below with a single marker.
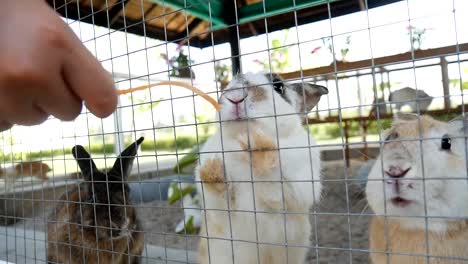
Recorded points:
(381, 61)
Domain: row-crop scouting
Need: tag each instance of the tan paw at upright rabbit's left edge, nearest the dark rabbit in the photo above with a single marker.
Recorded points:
(212, 173)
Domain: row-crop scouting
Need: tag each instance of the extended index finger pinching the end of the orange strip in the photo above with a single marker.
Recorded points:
(88, 79)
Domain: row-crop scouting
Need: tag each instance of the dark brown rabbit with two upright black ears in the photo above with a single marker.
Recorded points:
(95, 222)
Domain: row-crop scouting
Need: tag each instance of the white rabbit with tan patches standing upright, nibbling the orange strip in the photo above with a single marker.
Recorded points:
(259, 174)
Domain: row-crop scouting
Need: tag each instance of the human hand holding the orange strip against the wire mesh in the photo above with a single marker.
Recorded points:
(45, 70)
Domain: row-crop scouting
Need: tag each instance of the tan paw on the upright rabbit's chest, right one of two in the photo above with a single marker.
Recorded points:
(263, 150)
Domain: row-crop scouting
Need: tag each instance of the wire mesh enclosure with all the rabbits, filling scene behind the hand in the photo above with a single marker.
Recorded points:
(340, 138)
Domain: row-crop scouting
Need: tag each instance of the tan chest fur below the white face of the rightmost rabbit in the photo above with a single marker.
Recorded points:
(404, 243)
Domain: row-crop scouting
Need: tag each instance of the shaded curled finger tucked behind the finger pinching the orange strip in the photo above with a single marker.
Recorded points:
(59, 101)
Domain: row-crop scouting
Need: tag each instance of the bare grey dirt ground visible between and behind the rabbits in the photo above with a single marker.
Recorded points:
(340, 235)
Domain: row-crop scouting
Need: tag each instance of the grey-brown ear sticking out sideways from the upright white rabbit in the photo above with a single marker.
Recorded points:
(309, 95)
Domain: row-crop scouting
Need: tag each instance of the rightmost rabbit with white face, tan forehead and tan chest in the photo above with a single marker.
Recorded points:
(414, 180)
